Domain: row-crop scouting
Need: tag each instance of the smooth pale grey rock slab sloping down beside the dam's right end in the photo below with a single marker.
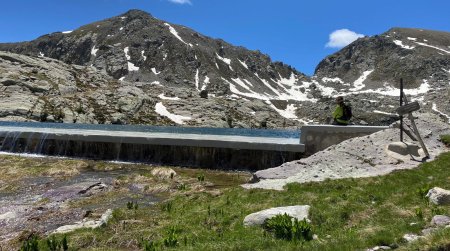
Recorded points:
(364, 156)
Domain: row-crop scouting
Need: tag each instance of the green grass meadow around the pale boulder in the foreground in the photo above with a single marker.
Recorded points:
(348, 214)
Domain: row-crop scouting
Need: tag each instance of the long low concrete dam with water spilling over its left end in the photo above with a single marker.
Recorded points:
(223, 148)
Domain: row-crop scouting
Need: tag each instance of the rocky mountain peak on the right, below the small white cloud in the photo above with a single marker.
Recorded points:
(412, 54)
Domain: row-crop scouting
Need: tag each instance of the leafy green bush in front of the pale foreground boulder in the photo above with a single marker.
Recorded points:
(285, 227)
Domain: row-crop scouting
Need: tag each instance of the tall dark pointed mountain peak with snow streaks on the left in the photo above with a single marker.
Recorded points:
(136, 47)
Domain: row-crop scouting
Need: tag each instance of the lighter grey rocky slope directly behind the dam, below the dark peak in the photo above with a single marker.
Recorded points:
(45, 89)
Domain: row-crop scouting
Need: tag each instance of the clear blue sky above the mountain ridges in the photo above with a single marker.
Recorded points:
(295, 32)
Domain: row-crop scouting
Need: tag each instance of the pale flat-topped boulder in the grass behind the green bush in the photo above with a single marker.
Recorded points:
(258, 218)
